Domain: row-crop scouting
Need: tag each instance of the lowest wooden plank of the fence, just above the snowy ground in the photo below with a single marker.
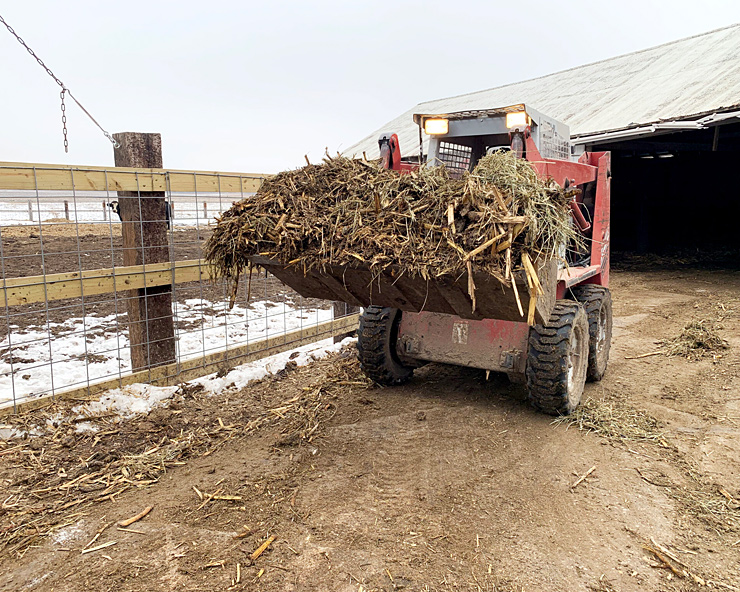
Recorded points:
(187, 370)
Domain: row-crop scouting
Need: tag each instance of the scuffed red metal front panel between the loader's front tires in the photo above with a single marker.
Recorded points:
(489, 344)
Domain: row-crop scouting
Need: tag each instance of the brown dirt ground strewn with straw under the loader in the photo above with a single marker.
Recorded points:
(450, 482)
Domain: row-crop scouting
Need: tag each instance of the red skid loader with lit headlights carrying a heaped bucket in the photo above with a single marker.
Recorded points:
(407, 322)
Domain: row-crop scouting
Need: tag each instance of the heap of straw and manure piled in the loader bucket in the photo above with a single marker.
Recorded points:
(429, 224)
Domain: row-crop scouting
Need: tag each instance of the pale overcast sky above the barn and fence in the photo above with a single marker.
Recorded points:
(253, 86)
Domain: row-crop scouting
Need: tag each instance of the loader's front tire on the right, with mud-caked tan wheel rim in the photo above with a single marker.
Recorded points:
(558, 359)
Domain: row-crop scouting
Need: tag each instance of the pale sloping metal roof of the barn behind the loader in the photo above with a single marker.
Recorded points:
(684, 79)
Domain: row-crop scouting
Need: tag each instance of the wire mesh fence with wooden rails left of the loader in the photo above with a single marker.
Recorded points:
(77, 279)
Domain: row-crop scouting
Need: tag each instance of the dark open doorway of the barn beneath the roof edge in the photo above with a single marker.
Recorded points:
(677, 193)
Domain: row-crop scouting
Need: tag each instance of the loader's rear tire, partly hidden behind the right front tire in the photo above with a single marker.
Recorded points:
(597, 301)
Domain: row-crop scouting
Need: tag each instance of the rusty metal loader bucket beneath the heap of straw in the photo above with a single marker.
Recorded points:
(447, 295)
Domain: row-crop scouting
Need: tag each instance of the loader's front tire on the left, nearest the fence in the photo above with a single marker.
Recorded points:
(376, 346)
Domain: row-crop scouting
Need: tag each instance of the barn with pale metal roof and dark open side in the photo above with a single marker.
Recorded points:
(671, 117)
